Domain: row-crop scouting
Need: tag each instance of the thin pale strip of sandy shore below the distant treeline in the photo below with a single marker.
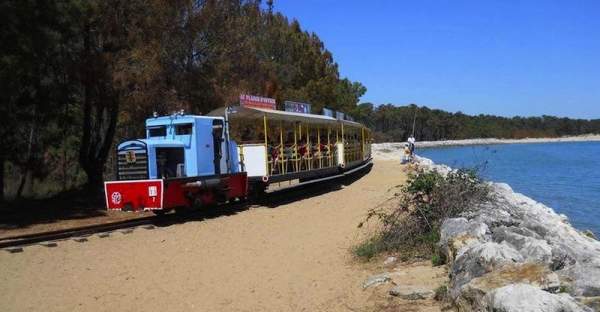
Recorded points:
(425, 144)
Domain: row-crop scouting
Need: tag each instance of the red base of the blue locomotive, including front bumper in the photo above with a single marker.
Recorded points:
(157, 194)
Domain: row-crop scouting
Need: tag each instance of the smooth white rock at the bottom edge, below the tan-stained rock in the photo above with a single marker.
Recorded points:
(527, 298)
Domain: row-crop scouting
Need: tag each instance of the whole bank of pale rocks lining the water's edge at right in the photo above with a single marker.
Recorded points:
(515, 254)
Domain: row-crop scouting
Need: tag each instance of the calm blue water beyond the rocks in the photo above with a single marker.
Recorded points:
(564, 176)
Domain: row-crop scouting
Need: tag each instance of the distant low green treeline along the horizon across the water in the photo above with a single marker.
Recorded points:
(394, 123)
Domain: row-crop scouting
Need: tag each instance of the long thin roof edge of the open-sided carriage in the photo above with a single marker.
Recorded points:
(247, 112)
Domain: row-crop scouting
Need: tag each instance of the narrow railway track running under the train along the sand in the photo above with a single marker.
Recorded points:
(15, 244)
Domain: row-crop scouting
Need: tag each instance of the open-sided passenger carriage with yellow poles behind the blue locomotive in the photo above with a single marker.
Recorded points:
(275, 146)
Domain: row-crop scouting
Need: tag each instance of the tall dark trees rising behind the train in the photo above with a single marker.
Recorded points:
(78, 76)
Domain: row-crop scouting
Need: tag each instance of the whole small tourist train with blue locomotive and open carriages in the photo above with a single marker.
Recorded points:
(232, 152)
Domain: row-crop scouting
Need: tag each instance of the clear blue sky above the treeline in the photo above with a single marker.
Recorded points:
(506, 57)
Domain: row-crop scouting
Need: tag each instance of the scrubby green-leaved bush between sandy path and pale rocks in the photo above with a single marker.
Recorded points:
(426, 200)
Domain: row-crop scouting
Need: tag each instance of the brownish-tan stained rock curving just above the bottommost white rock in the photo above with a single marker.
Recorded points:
(473, 293)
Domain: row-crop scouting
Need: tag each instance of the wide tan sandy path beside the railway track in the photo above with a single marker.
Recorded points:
(290, 258)
